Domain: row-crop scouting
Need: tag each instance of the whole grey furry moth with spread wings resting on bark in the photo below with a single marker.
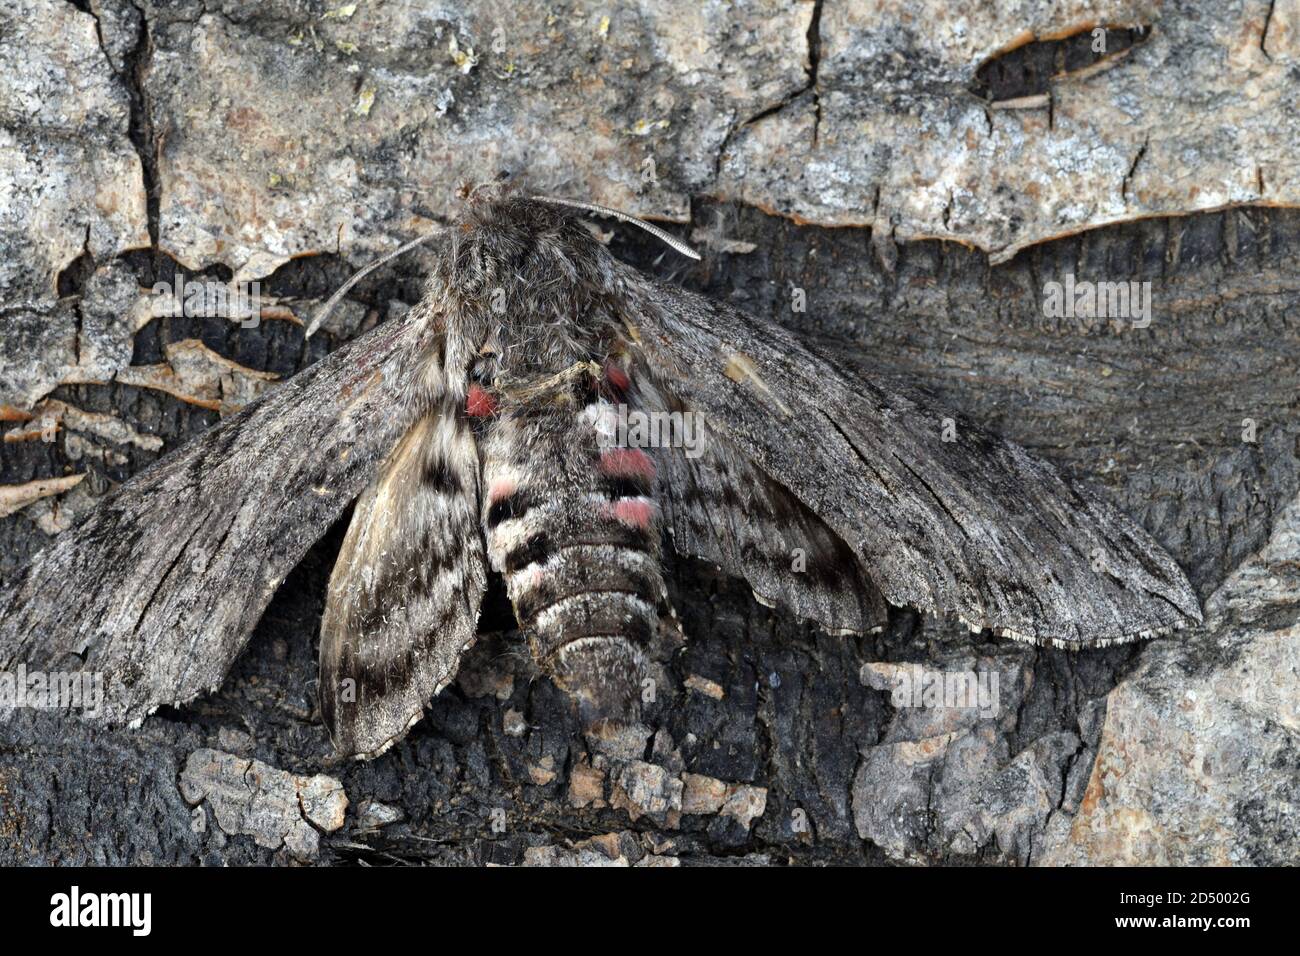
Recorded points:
(479, 436)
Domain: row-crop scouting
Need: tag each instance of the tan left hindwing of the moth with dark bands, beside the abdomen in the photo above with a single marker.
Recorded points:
(404, 600)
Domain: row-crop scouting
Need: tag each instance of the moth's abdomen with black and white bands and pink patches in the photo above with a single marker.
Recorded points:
(574, 530)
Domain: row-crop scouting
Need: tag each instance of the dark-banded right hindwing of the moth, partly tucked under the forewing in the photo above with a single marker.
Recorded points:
(722, 508)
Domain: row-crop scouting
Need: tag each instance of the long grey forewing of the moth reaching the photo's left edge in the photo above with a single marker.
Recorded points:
(162, 586)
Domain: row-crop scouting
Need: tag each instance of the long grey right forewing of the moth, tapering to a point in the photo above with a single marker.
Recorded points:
(974, 526)
